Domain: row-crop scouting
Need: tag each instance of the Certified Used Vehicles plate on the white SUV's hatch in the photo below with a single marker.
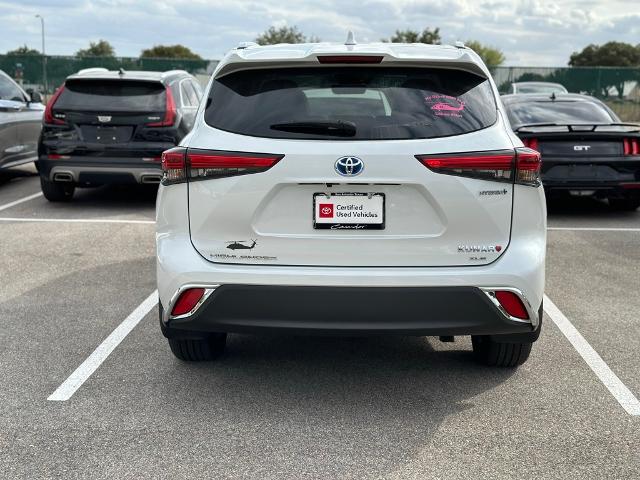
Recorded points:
(348, 211)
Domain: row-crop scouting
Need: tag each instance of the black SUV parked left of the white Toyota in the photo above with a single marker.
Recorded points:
(103, 127)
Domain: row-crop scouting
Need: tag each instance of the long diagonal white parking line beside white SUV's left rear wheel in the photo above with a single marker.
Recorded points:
(100, 354)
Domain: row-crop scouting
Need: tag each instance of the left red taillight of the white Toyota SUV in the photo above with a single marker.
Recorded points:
(178, 164)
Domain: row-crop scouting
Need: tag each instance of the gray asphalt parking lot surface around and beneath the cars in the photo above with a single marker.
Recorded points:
(296, 407)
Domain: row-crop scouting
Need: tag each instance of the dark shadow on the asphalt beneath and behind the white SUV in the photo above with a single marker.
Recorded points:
(335, 406)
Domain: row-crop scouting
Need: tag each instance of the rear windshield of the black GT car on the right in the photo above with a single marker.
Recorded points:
(561, 112)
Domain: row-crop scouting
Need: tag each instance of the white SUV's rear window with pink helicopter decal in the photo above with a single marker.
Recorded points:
(351, 103)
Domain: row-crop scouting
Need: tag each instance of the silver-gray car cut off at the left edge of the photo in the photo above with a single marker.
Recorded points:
(20, 123)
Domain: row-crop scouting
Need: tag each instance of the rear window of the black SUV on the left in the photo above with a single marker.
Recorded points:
(112, 95)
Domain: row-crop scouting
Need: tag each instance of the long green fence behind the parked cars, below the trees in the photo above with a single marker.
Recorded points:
(618, 87)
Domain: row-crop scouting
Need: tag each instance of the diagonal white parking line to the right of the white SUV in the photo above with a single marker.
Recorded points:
(619, 390)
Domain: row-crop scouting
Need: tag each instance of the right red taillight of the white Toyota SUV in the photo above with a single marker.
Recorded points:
(498, 166)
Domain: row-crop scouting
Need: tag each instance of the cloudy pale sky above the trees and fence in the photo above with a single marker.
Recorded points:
(529, 32)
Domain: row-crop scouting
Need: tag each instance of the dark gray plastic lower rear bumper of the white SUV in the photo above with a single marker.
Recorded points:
(349, 310)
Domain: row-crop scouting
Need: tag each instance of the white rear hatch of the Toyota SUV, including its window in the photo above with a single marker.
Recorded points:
(339, 198)
